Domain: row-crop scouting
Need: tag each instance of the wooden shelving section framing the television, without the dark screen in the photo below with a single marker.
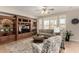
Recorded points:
(23, 21)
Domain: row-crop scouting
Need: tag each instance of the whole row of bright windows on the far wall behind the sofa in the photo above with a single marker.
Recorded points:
(52, 22)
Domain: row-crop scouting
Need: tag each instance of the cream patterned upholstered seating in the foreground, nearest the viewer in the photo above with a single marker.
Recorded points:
(50, 45)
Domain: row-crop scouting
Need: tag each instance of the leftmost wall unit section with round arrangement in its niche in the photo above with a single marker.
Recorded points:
(6, 29)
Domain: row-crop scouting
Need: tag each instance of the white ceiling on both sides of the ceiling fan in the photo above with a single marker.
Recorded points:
(35, 10)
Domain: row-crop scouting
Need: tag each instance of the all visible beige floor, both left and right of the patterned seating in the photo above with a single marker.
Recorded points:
(24, 46)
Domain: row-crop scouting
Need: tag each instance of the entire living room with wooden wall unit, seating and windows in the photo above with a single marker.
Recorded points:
(39, 29)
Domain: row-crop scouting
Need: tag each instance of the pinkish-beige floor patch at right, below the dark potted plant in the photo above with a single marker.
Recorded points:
(71, 47)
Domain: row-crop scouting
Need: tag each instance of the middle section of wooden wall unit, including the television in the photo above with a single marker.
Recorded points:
(23, 27)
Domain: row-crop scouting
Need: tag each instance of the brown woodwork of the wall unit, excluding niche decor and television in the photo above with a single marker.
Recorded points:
(16, 34)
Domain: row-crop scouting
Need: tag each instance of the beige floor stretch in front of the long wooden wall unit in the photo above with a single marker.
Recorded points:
(20, 46)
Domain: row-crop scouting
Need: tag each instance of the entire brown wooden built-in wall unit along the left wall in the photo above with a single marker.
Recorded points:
(16, 27)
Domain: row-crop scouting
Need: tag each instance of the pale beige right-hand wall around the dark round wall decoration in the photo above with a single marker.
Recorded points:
(72, 27)
